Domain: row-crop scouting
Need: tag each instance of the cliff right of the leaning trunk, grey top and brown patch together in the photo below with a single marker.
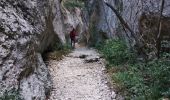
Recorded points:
(143, 18)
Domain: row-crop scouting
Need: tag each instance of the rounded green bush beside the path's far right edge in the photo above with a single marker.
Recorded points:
(117, 52)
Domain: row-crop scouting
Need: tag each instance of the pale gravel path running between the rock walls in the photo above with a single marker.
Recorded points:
(80, 76)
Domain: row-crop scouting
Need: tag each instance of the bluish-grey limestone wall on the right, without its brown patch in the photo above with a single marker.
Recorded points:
(104, 20)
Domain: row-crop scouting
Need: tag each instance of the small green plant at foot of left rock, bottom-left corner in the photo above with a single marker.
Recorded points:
(11, 95)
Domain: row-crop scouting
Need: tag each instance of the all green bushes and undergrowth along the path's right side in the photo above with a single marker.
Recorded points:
(137, 81)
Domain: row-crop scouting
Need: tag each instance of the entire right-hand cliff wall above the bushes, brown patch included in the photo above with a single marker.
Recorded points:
(134, 12)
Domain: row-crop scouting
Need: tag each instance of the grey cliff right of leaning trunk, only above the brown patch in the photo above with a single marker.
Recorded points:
(134, 10)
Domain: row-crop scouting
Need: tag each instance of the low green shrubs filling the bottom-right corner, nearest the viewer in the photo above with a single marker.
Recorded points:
(149, 81)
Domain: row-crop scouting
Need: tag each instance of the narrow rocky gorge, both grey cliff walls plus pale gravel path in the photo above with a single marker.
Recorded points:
(30, 28)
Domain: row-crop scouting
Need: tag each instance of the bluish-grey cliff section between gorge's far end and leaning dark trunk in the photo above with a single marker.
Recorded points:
(101, 20)
